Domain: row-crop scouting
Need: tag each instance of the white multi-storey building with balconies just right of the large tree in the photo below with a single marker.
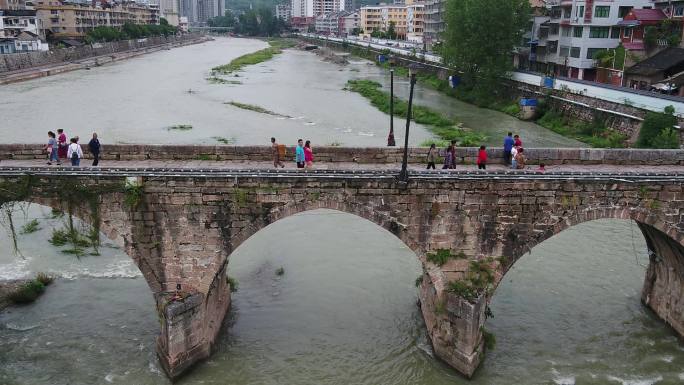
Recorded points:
(566, 41)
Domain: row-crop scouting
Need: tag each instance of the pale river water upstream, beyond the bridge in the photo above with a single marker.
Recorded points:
(138, 100)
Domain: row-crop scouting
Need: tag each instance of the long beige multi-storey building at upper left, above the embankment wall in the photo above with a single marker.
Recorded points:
(64, 19)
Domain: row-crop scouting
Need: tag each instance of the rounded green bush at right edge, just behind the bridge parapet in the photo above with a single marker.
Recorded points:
(657, 130)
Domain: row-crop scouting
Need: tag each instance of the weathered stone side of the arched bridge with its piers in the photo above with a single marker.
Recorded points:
(468, 229)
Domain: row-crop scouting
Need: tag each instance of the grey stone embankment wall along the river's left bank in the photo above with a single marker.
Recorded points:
(22, 61)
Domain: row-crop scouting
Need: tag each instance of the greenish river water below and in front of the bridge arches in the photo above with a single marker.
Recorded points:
(345, 312)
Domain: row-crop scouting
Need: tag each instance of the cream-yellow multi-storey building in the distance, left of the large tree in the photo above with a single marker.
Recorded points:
(379, 17)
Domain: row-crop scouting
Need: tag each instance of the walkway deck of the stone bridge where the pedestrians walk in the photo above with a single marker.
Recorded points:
(261, 168)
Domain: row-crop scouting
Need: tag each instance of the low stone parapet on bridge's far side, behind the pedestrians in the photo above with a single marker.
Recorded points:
(549, 156)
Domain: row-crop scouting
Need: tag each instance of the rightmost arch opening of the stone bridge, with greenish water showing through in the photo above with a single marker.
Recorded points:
(576, 300)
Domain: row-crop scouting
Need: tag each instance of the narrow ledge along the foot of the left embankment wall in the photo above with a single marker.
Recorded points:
(95, 61)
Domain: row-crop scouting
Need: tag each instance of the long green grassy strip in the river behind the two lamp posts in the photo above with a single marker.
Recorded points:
(442, 126)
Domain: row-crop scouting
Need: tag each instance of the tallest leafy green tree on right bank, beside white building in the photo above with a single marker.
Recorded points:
(479, 40)
